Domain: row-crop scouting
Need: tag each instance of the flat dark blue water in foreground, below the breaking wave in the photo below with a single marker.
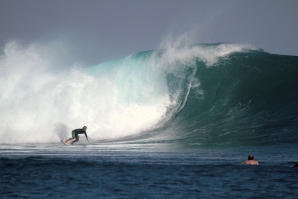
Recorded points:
(152, 171)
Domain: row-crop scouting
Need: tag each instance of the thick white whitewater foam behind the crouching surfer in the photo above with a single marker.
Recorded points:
(34, 99)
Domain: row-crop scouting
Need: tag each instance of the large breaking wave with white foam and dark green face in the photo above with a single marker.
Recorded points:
(207, 93)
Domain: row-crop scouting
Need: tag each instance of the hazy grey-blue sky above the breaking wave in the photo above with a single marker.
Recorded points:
(99, 30)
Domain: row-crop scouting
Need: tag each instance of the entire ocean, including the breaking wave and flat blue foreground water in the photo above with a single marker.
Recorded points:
(167, 123)
